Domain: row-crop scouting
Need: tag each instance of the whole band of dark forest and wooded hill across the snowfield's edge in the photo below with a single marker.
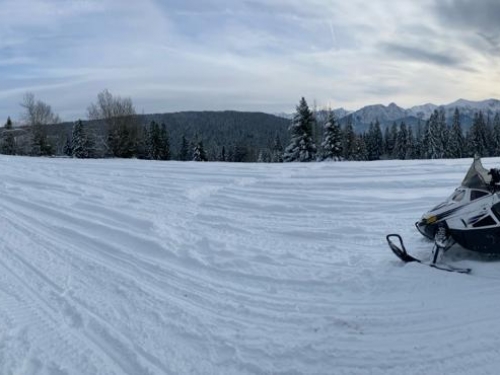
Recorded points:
(113, 129)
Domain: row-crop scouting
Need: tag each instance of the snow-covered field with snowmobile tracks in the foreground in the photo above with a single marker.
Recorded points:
(139, 267)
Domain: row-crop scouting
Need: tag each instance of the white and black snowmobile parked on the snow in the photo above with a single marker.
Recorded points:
(470, 217)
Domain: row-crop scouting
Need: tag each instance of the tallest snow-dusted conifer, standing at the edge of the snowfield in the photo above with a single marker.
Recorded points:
(301, 147)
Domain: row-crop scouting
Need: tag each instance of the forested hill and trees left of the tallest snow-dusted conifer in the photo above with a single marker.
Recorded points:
(114, 129)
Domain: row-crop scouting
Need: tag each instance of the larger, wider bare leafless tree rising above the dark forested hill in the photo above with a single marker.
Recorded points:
(120, 116)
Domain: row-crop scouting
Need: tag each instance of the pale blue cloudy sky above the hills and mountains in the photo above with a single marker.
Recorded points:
(257, 55)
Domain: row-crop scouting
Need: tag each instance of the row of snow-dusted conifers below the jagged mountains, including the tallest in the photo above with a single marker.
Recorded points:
(432, 139)
